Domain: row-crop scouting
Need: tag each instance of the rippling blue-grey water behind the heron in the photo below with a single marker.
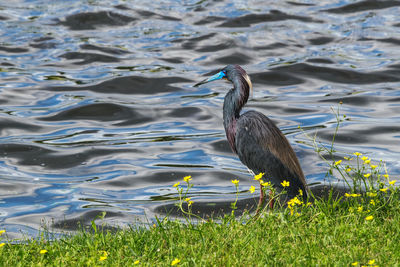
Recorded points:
(98, 112)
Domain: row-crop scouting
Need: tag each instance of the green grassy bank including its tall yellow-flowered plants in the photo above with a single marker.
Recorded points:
(358, 228)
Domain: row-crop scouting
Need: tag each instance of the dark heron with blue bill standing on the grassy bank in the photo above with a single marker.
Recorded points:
(256, 140)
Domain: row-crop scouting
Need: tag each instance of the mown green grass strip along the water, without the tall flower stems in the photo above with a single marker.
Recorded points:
(319, 235)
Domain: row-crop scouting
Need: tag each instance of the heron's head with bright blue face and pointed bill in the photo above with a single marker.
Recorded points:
(232, 73)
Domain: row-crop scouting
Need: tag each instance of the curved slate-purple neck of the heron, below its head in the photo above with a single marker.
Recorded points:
(234, 101)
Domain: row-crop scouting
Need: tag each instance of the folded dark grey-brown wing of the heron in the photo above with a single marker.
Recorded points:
(263, 148)
